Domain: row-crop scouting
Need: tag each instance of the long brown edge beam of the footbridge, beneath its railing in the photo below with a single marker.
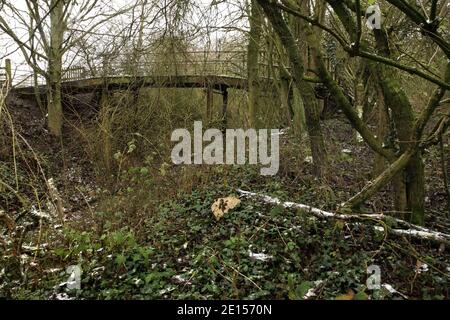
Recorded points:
(131, 83)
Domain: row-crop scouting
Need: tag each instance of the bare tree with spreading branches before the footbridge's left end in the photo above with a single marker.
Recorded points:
(53, 27)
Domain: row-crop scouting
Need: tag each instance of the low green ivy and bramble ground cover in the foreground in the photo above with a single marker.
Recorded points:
(177, 249)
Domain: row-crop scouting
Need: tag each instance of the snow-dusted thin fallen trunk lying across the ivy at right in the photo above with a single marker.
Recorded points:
(414, 231)
